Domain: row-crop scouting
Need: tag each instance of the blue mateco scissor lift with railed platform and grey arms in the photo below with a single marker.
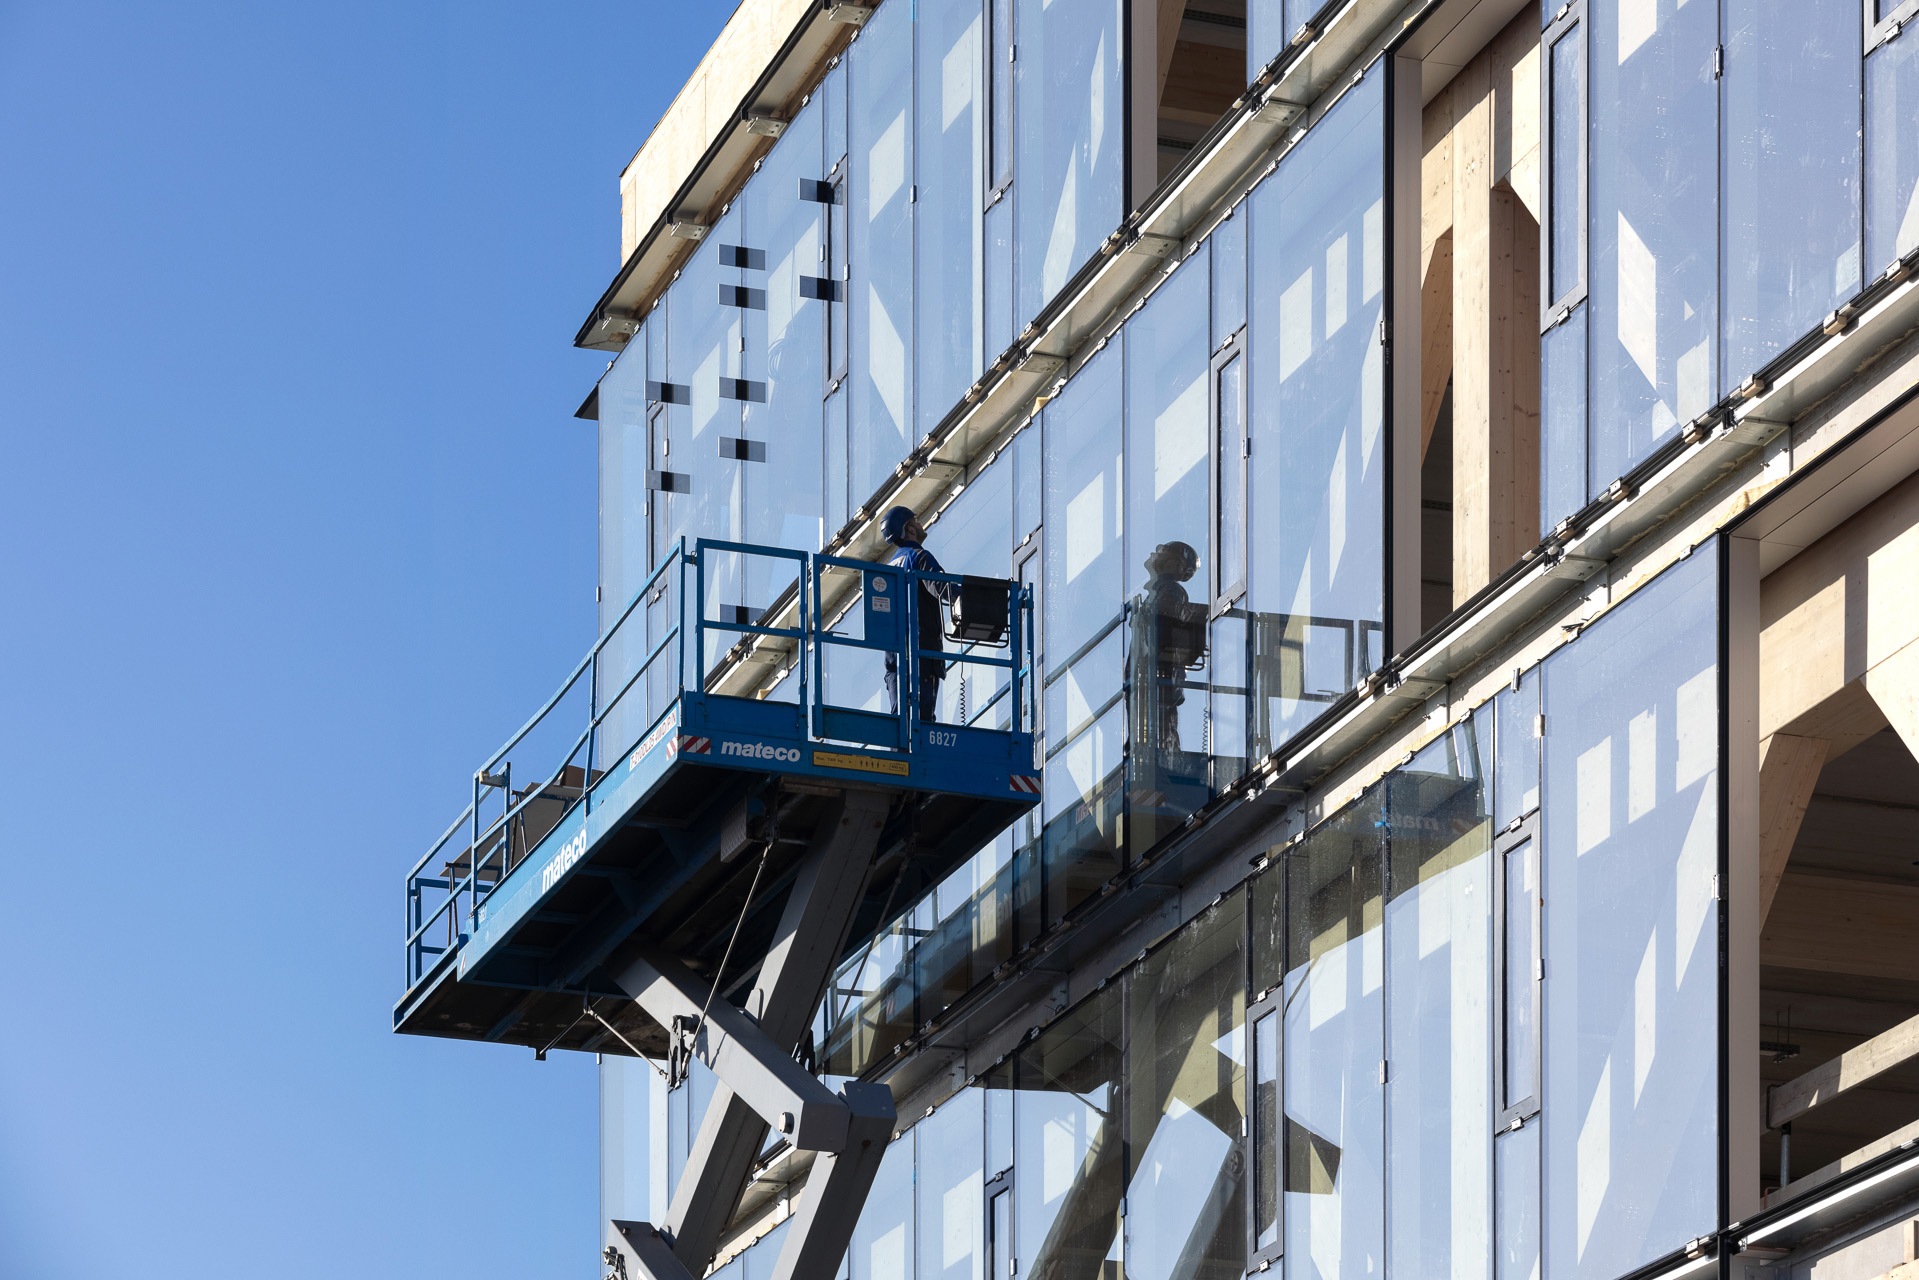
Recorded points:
(690, 893)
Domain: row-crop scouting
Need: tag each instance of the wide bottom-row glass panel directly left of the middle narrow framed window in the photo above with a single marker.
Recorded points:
(1187, 1102)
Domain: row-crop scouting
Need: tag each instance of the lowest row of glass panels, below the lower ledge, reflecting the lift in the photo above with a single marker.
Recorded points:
(1339, 1066)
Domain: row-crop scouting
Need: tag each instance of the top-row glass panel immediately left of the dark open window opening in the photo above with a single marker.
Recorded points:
(1068, 128)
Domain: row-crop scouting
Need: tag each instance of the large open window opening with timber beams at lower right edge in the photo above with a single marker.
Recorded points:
(1839, 853)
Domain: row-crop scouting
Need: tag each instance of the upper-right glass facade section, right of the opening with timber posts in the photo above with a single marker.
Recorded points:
(1718, 181)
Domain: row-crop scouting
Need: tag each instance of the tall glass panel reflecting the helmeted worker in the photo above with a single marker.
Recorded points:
(1166, 531)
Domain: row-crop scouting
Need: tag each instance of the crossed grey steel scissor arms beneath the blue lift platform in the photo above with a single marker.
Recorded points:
(761, 1083)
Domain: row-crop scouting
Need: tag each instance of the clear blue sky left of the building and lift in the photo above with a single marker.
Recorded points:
(295, 529)
